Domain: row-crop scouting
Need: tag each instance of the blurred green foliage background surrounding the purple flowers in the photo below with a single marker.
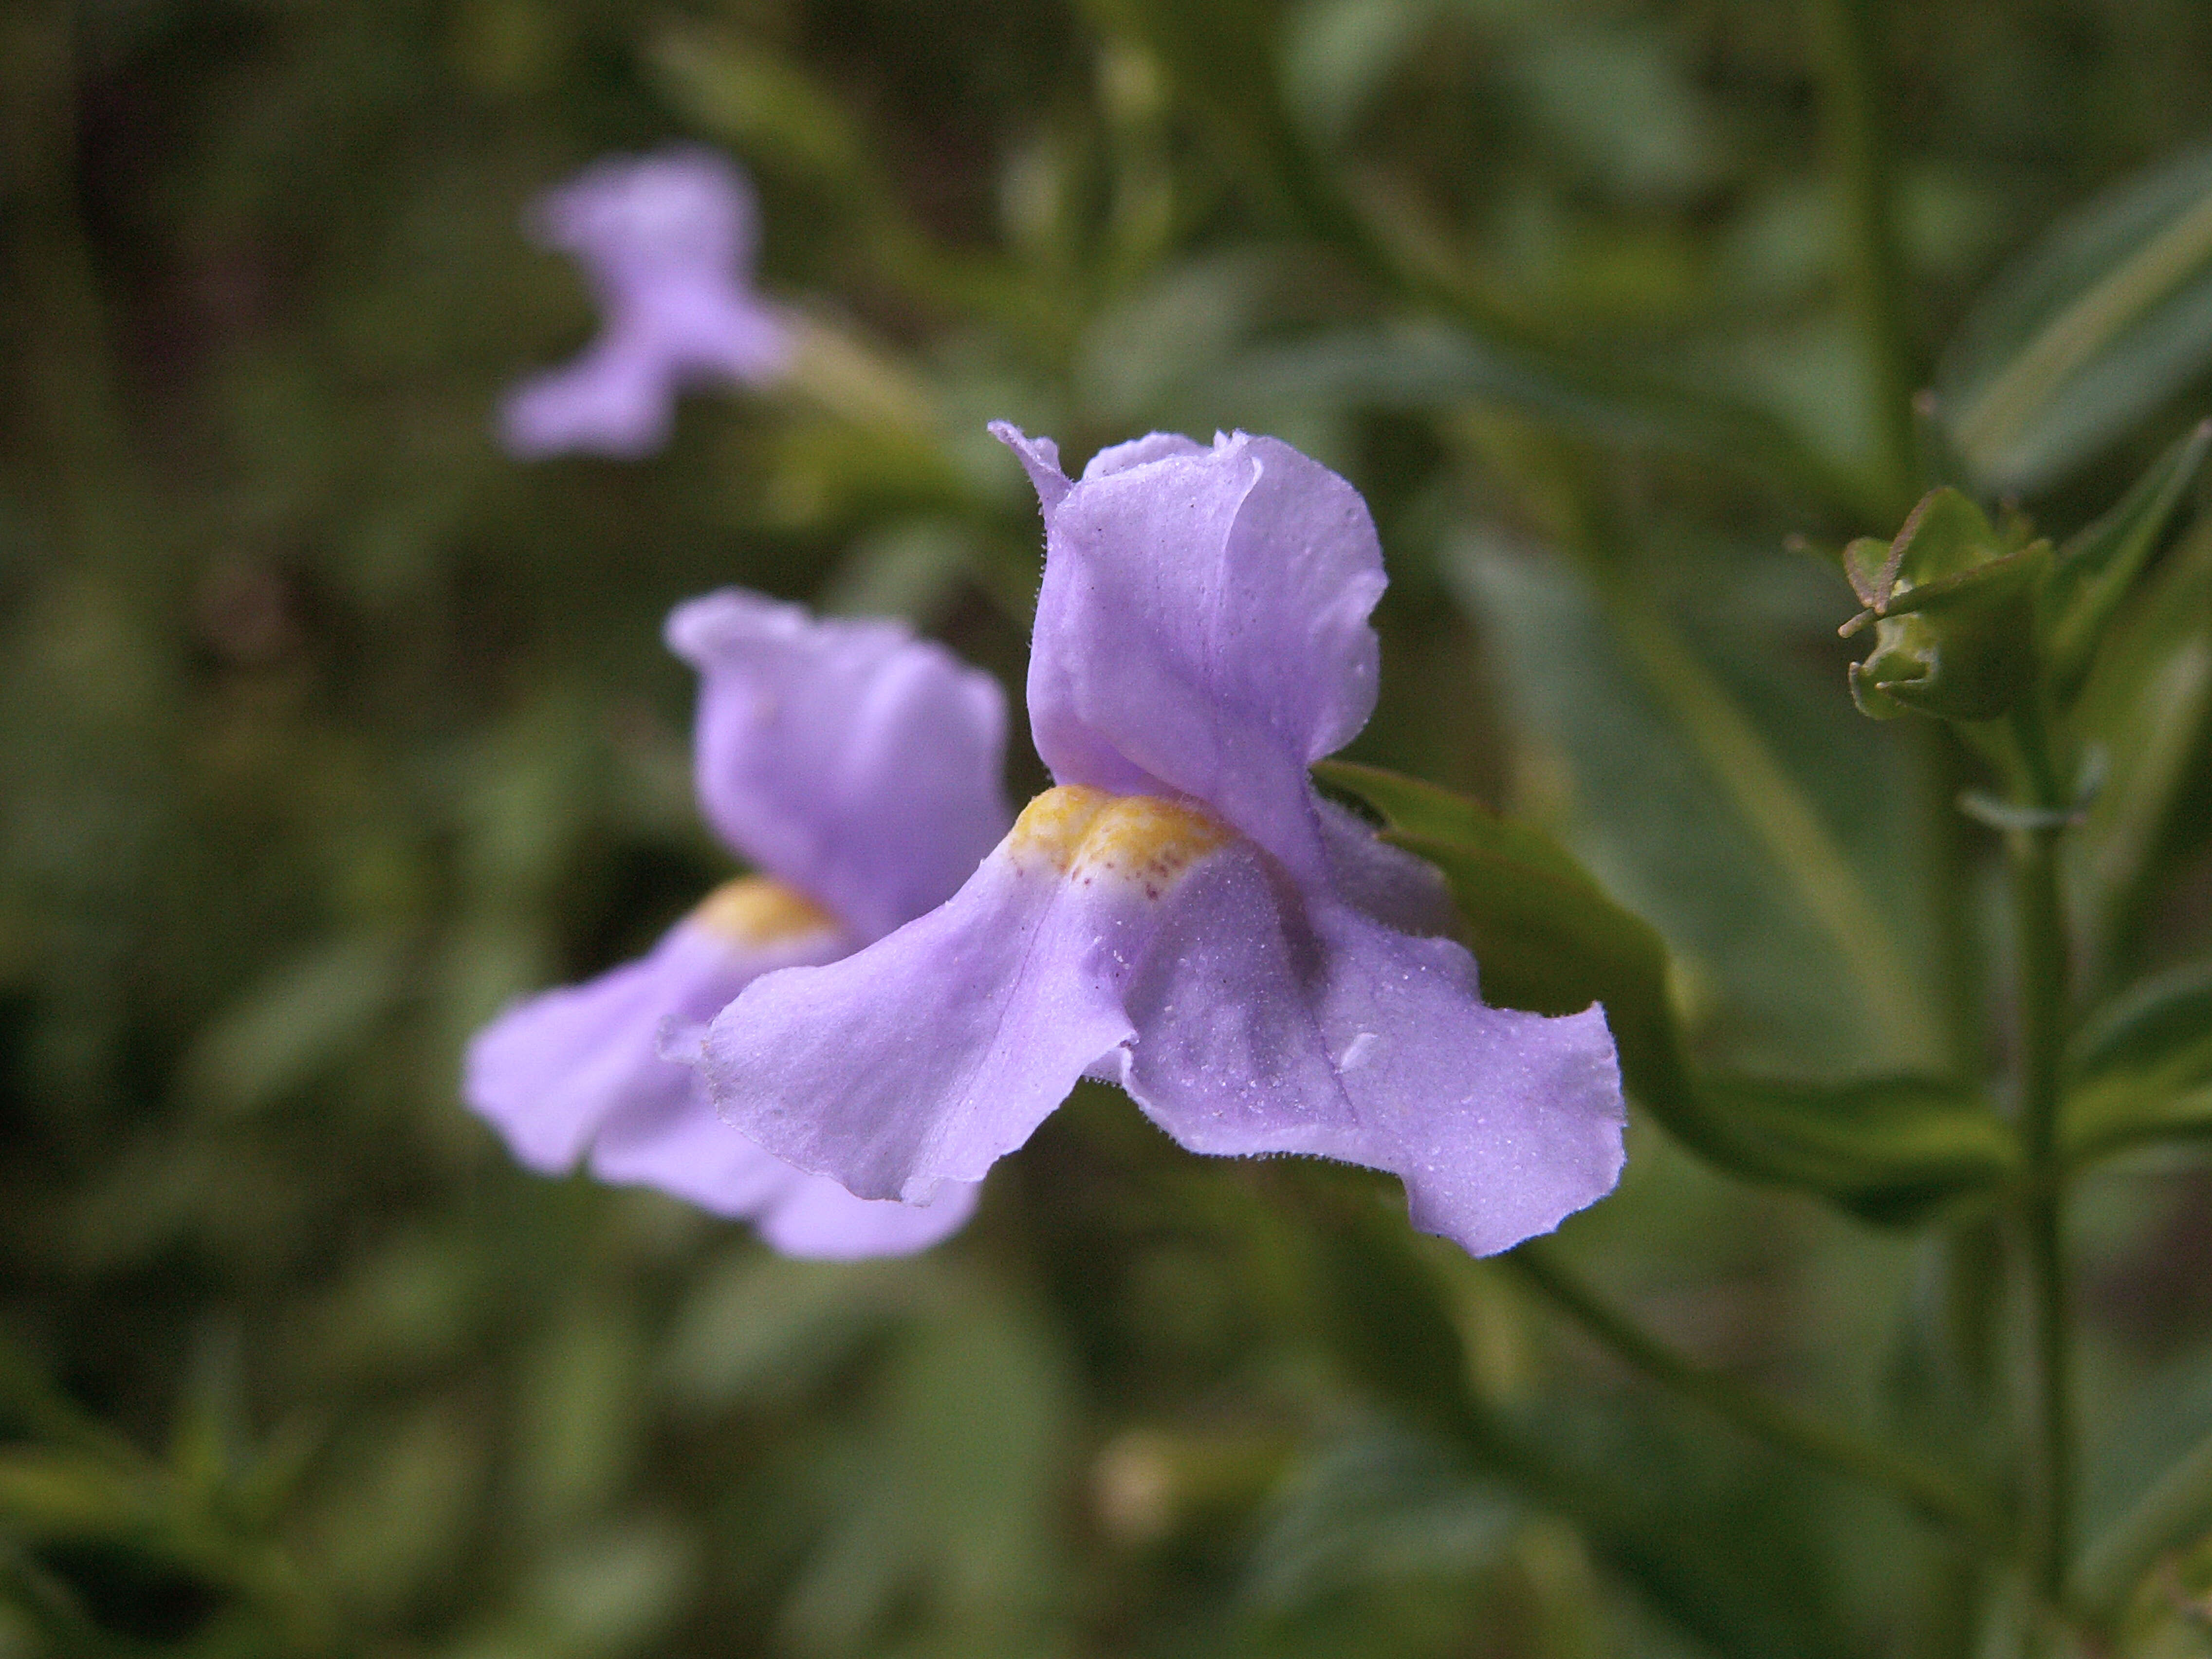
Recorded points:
(326, 729)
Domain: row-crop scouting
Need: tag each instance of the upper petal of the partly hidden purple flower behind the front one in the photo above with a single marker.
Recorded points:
(844, 758)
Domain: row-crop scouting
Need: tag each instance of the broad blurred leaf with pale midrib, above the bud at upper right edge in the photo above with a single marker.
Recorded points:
(2089, 333)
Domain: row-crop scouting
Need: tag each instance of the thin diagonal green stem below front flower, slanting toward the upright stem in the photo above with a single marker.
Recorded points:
(1914, 1485)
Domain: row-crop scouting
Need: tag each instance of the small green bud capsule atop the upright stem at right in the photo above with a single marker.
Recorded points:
(1952, 603)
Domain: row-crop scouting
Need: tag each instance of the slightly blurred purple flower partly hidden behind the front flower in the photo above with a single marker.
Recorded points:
(859, 769)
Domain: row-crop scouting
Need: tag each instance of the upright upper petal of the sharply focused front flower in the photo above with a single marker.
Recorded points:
(1202, 627)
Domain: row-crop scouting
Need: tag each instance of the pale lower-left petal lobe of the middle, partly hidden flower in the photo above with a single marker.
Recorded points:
(559, 1067)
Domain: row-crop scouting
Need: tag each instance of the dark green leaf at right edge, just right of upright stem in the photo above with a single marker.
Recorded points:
(2142, 1065)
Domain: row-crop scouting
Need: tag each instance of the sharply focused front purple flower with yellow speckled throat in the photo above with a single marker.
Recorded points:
(1182, 915)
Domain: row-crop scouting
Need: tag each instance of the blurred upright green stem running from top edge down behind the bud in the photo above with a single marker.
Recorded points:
(1875, 267)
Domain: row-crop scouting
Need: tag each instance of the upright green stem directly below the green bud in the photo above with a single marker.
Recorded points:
(2041, 946)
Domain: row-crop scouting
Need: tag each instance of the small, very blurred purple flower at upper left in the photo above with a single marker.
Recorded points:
(669, 242)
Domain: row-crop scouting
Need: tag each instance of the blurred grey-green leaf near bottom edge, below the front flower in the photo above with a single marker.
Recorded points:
(1377, 1510)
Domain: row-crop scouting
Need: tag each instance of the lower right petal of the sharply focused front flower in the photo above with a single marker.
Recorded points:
(1317, 1030)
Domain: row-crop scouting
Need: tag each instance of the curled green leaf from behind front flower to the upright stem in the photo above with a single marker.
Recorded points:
(1552, 941)
